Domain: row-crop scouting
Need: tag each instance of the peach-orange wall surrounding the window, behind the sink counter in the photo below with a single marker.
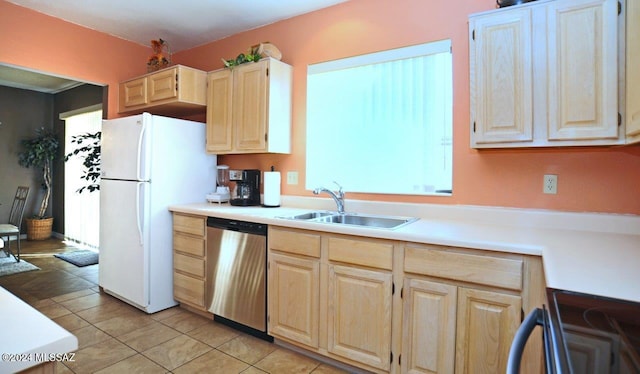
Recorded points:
(598, 179)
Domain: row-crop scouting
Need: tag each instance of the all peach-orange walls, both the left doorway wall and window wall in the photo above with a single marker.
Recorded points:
(597, 179)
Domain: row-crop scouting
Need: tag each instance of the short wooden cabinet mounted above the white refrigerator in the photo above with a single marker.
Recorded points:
(175, 90)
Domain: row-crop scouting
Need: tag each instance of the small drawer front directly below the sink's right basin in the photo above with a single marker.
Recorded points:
(361, 252)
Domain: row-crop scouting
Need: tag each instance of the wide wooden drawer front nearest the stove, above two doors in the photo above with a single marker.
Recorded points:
(476, 268)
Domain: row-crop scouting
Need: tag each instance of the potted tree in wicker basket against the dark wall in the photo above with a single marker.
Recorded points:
(39, 152)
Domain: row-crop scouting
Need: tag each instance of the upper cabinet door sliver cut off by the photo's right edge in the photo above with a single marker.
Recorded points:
(632, 66)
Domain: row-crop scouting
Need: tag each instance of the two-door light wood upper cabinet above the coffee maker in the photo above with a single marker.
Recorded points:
(249, 108)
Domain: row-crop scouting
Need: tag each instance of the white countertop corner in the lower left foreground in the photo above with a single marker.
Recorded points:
(27, 337)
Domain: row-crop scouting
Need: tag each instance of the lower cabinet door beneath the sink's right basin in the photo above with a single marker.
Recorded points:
(359, 315)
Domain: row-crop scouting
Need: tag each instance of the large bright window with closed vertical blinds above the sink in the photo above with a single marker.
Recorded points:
(382, 123)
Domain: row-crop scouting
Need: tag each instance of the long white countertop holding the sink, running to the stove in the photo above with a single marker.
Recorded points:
(582, 252)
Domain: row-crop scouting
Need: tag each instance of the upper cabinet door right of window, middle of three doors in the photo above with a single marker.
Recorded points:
(582, 70)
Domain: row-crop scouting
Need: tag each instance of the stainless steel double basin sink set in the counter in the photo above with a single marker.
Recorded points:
(365, 220)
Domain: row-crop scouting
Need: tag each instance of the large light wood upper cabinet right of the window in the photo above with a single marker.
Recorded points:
(553, 73)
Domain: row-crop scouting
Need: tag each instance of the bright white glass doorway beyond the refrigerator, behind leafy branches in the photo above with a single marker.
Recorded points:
(81, 203)
